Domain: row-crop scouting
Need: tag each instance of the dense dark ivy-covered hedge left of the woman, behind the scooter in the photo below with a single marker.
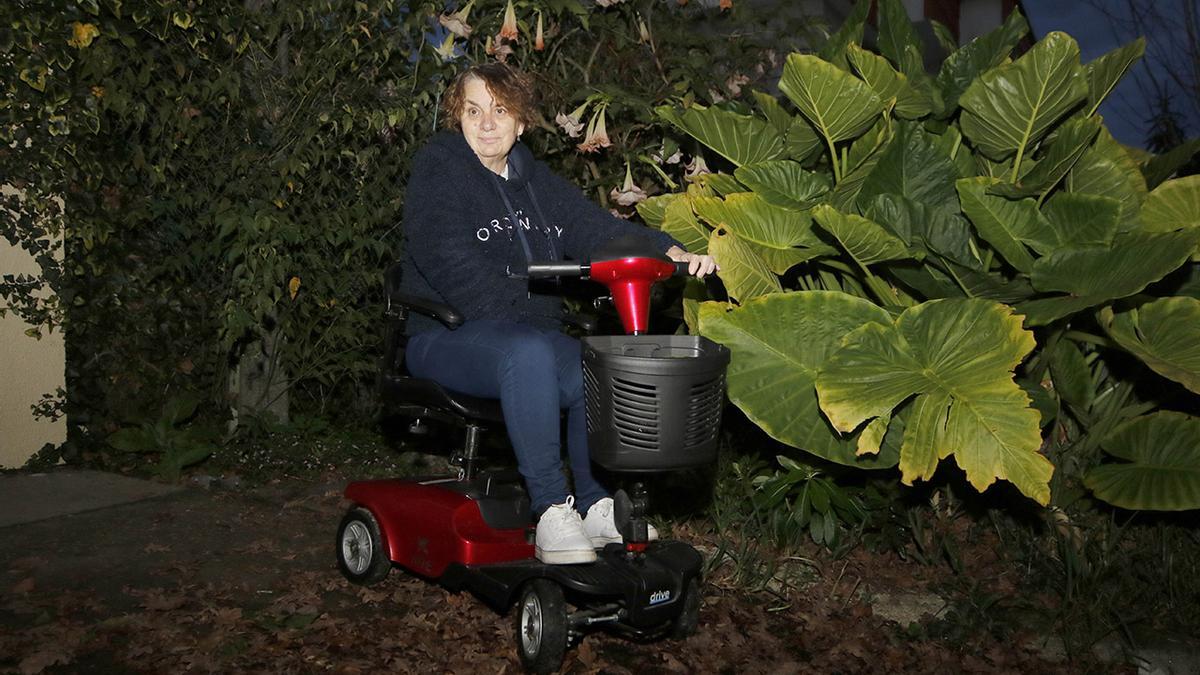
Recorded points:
(229, 180)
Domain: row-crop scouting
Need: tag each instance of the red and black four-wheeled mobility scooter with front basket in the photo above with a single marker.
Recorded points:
(653, 404)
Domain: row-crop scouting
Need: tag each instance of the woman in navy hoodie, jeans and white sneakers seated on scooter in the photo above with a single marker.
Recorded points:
(478, 210)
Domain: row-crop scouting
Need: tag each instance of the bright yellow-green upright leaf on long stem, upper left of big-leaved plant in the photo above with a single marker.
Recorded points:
(838, 105)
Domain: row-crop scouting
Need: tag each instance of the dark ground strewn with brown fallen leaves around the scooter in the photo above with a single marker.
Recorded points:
(244, 581)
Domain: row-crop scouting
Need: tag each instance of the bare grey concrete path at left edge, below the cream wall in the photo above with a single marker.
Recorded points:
(29, 498)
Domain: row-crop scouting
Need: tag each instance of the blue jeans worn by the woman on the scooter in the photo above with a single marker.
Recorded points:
(536, 374)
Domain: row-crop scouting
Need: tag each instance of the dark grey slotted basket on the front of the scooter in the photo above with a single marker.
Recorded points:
(653, 402)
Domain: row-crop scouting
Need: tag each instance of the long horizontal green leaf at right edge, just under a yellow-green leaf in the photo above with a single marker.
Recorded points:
(1091, 276)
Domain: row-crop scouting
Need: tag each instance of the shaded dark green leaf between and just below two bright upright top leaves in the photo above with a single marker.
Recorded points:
(914, 166)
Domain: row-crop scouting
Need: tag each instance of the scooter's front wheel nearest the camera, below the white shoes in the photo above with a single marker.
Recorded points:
(542, 626)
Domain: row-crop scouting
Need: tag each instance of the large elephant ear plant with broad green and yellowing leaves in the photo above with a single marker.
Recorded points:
(963, 265)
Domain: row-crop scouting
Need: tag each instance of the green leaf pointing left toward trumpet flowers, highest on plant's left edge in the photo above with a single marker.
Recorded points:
(743, 140)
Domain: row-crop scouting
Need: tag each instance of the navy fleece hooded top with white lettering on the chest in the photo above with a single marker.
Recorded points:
(461, 246)
